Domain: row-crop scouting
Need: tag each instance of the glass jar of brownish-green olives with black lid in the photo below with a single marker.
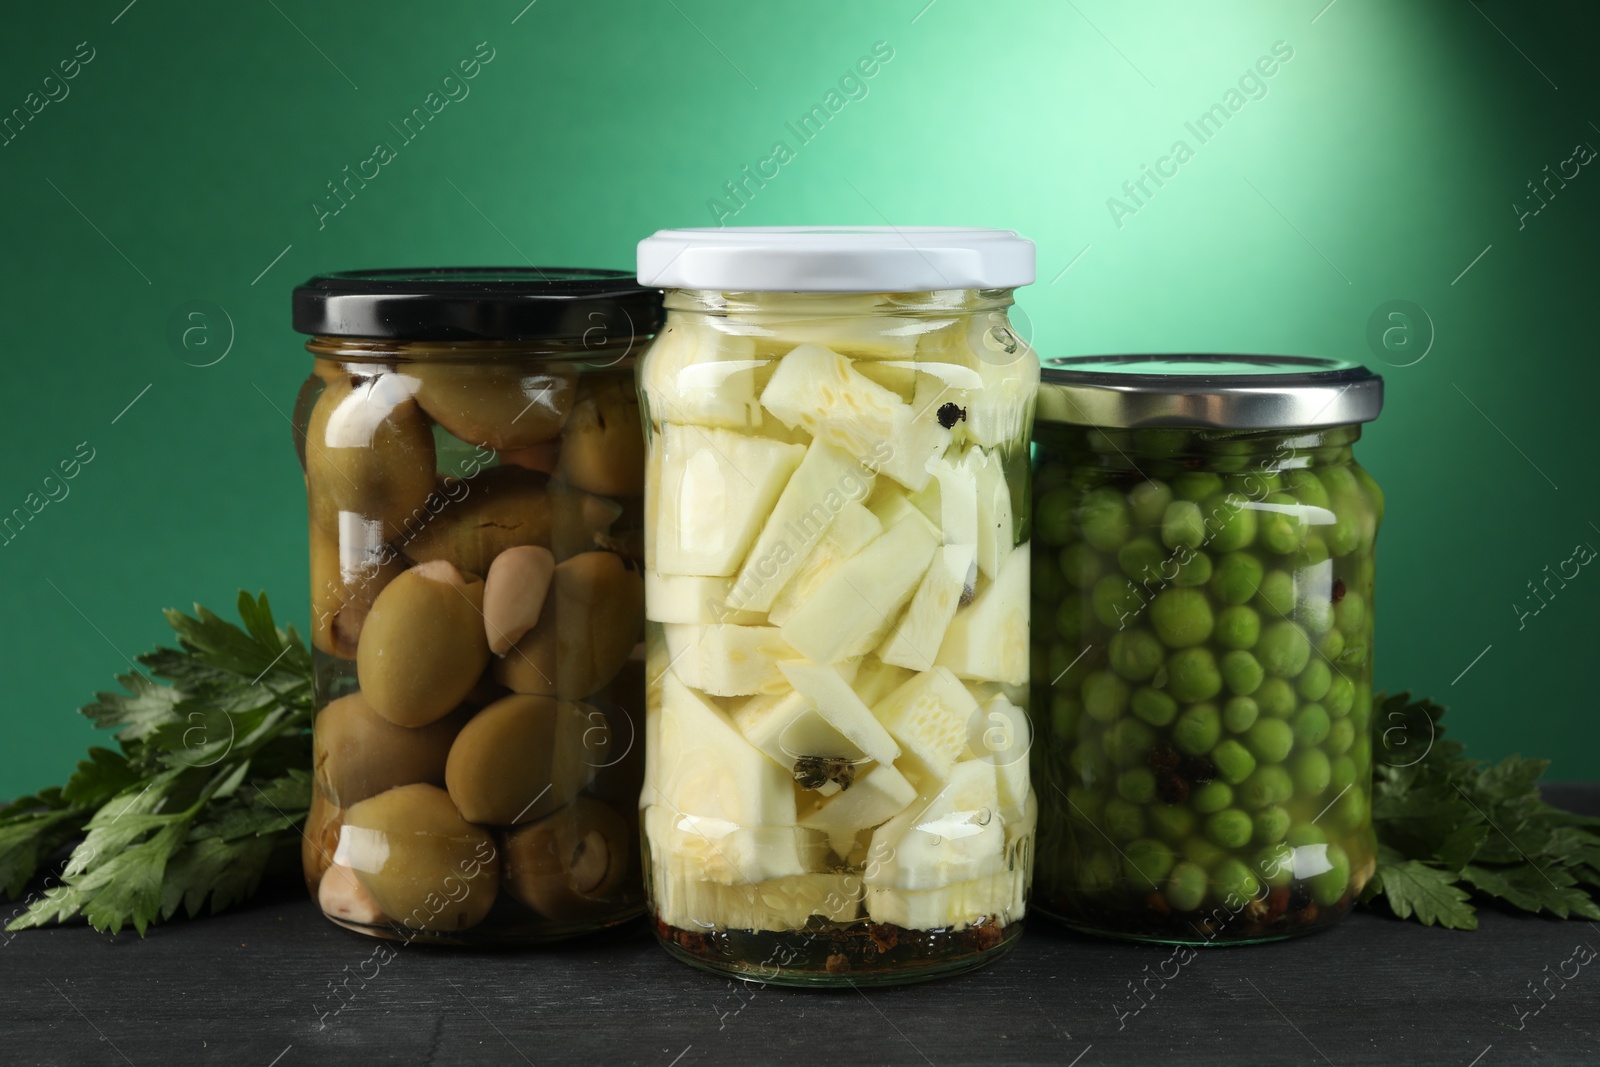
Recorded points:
(474, 468)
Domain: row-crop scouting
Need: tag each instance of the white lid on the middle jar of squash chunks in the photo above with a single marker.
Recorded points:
(836, 260)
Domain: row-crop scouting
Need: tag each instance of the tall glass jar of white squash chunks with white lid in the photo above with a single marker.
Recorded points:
(836, 589)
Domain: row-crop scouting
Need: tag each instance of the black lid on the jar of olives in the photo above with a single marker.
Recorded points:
(478, 305)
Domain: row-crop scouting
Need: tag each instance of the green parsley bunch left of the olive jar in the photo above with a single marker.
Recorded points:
(206, 794)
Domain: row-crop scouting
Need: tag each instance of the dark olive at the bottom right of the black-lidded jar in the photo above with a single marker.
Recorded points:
(569, 865)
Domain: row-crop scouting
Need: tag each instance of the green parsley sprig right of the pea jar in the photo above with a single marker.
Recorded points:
(1454, 831)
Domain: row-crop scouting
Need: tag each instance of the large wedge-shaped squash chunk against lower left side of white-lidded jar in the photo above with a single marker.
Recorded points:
(706, 769)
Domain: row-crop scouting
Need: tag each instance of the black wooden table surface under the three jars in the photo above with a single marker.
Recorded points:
(258, 988)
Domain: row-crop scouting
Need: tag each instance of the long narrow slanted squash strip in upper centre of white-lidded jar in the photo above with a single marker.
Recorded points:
(817, 494)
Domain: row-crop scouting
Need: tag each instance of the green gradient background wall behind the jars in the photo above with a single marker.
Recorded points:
(1382, 162)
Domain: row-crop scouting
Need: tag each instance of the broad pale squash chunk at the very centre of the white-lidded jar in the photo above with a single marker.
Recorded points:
(855, 605)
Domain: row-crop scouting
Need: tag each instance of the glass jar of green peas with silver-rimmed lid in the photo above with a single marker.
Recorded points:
(1204, 548)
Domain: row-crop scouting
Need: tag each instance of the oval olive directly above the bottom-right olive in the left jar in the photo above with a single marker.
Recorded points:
(522, 757)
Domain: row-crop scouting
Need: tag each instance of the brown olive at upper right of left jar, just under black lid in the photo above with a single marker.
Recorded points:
(604, 441)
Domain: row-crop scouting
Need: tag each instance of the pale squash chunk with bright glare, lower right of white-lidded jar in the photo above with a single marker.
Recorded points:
(958, 836)
